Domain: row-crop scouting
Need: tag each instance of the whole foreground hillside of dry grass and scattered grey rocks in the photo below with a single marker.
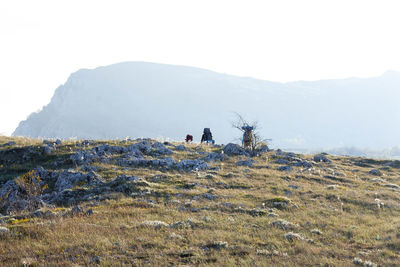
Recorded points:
(142, 202)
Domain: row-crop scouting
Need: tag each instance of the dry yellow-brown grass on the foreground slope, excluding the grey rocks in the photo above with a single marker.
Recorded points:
(351, 223)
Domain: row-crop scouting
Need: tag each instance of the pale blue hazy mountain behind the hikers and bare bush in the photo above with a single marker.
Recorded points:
(139, 99)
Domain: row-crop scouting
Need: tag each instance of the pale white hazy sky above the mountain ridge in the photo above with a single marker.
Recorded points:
(43, 41)
